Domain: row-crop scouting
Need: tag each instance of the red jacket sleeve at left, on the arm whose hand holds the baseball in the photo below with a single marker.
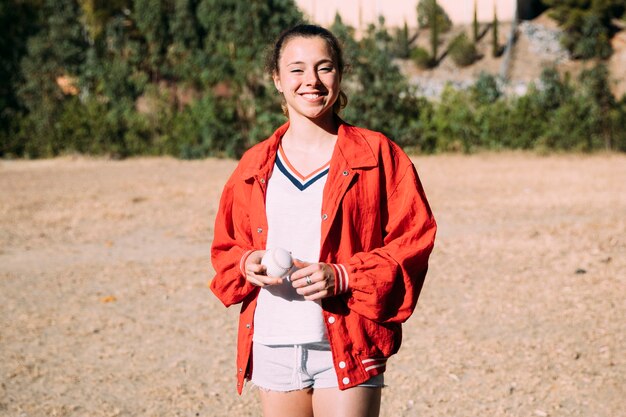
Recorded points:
(232, 243)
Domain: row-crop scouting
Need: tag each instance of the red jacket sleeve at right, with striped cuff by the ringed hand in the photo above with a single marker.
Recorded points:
(383, 284)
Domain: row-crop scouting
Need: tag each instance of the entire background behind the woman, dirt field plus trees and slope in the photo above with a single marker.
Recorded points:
(104, 263)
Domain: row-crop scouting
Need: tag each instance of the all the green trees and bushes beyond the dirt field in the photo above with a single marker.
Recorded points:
(186, 78)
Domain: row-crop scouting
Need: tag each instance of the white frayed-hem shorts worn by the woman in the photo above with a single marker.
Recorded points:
(294, 367)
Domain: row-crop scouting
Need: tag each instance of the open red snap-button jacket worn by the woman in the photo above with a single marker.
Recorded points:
(377, 232)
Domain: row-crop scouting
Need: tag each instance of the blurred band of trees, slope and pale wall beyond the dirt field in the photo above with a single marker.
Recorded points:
(186, 77)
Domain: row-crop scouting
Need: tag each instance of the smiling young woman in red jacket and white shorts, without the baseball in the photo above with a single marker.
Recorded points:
(349, 206)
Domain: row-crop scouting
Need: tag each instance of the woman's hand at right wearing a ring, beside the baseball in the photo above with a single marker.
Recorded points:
(313, 281)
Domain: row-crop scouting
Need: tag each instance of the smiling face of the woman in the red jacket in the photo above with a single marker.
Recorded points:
(308, 77)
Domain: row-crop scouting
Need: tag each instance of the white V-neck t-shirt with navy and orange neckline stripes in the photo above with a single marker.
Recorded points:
(293, 206)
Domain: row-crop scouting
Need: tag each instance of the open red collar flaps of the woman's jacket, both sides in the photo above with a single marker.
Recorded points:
(352, 149)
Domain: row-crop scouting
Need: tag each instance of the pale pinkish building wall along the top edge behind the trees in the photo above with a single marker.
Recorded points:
(359, 13)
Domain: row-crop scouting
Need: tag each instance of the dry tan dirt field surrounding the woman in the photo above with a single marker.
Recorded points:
(105, 310)
